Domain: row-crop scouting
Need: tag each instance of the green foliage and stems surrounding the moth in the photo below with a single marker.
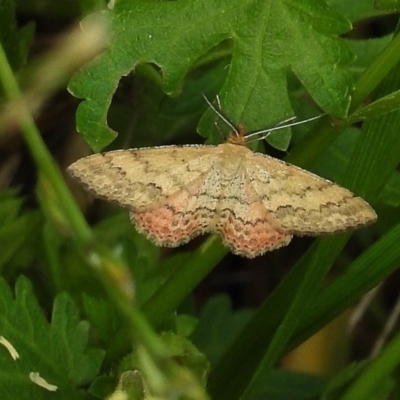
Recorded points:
(67, 299)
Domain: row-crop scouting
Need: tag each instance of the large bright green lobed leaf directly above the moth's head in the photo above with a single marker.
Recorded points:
(267, 38)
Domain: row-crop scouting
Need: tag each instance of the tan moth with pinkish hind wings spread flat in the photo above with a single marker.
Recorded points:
(256, 203)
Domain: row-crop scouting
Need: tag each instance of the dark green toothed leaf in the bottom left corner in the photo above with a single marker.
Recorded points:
(56, 350)
